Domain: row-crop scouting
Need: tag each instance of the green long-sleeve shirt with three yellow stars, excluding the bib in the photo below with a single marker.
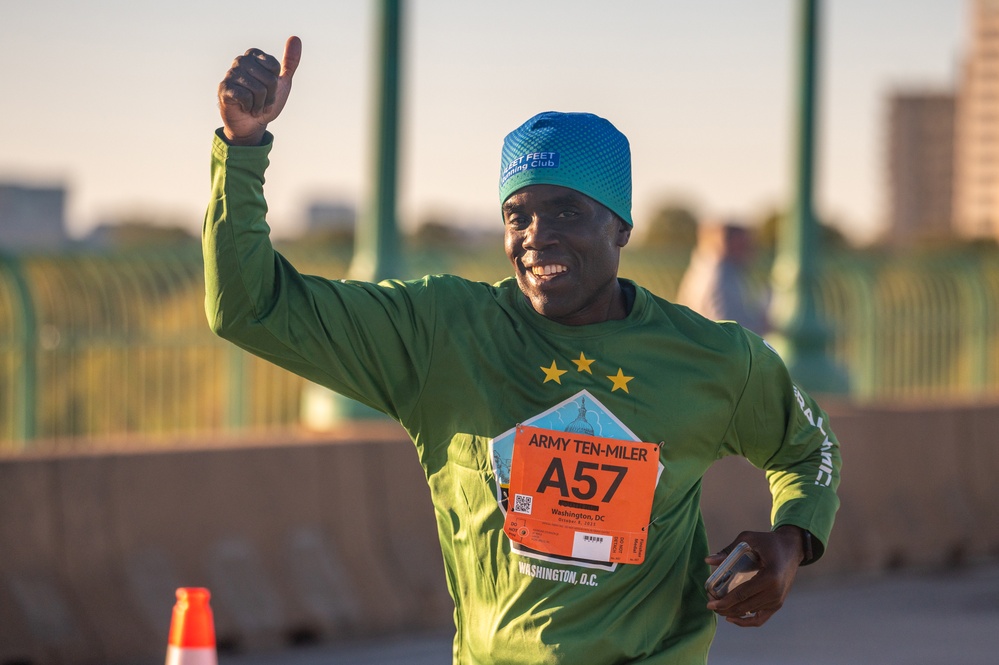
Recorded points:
(461, 363)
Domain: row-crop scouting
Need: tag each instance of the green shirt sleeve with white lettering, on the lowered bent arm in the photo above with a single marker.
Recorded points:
(782, 430)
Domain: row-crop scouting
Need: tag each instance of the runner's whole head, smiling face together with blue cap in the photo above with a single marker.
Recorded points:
(566, 202)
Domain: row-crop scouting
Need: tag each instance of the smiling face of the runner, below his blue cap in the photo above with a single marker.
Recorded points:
(565, 248)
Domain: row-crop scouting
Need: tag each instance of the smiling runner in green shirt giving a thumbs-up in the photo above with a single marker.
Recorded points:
(564, 418)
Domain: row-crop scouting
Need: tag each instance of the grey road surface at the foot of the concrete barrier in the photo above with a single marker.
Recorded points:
(940, 618)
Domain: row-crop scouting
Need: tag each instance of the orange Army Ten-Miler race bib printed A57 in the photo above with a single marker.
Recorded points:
(581, 496)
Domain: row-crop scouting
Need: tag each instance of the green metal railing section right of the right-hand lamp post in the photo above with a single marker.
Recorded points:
(916, 328)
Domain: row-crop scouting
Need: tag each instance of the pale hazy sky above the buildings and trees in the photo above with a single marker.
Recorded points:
(116, 99)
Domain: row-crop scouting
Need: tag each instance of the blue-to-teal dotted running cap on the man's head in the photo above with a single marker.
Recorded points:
(580, 151)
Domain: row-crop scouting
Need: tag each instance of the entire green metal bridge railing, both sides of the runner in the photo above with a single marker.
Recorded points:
(108, 346)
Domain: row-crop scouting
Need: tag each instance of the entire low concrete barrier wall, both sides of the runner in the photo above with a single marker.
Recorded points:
(320, 540)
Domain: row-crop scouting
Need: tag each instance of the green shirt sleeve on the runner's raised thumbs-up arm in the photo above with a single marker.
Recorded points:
(367, 341)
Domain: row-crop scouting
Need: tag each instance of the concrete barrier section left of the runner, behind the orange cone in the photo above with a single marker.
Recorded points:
(297, 541)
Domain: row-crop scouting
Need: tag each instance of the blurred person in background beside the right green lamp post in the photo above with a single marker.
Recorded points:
(717, 283)
